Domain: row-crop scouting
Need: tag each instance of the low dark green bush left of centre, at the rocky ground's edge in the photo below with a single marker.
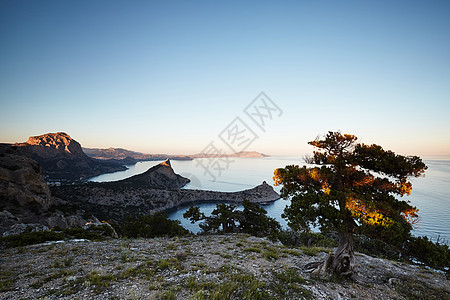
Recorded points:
(152, 226)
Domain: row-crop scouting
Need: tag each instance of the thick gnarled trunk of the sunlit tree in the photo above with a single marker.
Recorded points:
(344, 257)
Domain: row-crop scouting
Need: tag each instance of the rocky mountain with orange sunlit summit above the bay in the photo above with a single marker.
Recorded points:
(63, 159)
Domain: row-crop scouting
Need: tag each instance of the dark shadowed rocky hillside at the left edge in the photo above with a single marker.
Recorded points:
(25, 198)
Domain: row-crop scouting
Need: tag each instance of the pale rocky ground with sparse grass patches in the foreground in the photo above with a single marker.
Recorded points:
(200, 267)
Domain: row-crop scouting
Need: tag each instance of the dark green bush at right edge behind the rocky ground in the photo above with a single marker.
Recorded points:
(435, 255)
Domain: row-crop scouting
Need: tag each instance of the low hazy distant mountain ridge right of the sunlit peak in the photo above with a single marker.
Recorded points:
(122, 154)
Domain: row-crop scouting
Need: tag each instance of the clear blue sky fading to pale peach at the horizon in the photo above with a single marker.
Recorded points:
(169, 76)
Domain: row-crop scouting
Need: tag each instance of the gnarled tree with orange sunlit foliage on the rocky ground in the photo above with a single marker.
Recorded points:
(353, 189)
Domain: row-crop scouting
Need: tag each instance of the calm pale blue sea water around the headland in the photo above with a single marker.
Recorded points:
(430, 193)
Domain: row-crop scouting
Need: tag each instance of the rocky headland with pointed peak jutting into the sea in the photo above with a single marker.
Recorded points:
(155, 190)
